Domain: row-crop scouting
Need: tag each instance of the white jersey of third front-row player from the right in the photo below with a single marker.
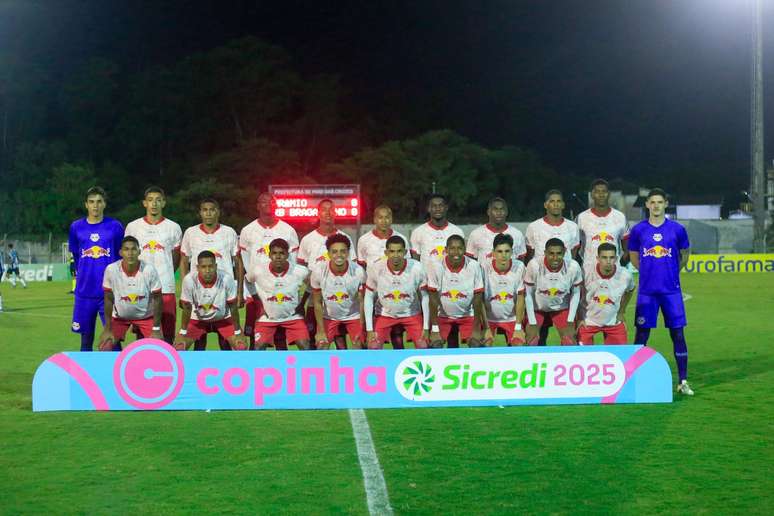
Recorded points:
(501, 289)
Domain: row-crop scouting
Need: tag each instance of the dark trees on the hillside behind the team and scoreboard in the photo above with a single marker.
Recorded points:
(226, 123)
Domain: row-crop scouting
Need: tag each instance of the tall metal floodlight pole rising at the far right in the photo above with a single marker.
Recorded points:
(757, 178)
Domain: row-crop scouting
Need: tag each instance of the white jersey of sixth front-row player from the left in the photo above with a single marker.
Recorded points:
(455, 287)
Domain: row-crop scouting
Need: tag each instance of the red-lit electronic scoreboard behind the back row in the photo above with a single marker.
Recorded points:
(299, 202)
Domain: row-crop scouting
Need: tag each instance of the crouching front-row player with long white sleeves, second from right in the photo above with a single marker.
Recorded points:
(553, 294)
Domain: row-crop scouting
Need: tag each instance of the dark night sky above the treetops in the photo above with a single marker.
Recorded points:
(609, 88)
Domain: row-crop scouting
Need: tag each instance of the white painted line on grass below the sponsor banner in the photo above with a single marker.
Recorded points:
(376, 489)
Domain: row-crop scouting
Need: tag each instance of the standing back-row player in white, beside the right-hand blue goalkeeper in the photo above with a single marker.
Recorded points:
(601, 224)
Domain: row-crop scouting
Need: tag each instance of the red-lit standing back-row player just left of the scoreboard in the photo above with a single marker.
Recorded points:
(254, 240)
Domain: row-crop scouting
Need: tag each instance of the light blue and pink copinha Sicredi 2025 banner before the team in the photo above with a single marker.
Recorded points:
(150, 375)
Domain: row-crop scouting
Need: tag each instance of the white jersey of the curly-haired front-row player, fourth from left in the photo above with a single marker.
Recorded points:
(339, 291)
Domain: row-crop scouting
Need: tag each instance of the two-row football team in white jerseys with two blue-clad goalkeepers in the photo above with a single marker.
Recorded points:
(435, 288)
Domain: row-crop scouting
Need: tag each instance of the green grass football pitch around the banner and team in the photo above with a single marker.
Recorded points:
(711, 453)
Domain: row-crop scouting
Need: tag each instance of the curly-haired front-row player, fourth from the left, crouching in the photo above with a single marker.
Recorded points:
(337, 296)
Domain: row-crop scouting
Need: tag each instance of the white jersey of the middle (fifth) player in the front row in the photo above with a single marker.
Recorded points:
(397, 291)
